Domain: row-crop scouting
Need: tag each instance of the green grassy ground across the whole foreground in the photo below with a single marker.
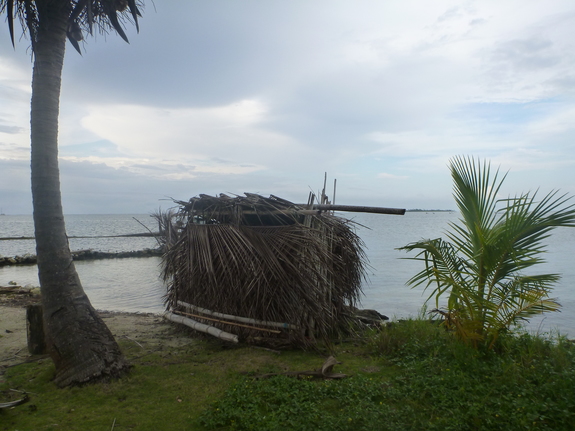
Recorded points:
(411, 375)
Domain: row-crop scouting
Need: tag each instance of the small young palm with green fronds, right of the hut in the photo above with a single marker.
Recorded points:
(482, 268)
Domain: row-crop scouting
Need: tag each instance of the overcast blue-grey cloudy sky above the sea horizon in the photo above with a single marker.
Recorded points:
(267, 96)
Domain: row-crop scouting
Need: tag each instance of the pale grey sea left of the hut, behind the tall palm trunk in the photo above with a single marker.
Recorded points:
(130, 284)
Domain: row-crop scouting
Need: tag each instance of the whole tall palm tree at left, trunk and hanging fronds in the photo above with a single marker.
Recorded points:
(80, 344)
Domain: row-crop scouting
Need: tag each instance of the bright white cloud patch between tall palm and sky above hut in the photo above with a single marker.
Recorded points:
(224, 139)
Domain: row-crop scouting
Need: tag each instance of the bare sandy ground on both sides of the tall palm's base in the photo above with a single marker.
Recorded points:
(145, 329)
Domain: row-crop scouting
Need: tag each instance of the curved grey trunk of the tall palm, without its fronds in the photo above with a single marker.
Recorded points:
(79, 342)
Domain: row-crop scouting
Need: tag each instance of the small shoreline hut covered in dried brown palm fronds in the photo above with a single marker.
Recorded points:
(263, 258)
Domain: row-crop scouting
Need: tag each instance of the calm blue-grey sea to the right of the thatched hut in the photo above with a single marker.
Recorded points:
(386, 289)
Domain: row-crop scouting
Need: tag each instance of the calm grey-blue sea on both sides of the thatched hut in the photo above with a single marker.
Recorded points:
(134, 284)
